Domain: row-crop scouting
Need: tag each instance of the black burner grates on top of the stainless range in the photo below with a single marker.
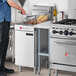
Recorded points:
(67, 22)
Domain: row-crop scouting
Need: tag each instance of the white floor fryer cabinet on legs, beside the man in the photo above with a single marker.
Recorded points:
(25, 46)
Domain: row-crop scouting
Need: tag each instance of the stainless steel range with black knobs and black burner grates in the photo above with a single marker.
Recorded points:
(63, 45)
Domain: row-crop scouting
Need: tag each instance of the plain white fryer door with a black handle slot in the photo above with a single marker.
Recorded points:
(24, 48)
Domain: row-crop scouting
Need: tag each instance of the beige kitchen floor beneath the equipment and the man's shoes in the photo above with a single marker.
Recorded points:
(29, 71)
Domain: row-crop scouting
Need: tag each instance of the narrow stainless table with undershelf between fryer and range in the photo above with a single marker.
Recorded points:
(41, 41)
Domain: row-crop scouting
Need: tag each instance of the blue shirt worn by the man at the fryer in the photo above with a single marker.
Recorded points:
(5, 11)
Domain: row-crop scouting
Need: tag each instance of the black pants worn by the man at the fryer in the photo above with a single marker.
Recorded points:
(4, 39)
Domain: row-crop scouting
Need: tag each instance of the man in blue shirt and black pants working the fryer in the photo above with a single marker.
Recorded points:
(5, 19)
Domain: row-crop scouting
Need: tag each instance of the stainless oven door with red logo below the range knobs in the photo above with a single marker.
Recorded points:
(63, 51)
